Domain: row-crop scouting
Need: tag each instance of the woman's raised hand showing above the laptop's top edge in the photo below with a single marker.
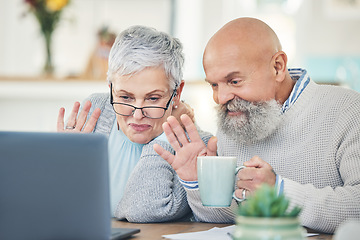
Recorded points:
(76, 123)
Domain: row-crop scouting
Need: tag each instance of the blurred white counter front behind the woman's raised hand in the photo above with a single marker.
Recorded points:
(34, 106)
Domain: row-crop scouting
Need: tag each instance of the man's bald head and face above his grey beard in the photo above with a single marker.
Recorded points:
(244, 59)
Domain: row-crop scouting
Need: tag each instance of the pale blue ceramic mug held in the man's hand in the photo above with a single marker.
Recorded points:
(216, 177)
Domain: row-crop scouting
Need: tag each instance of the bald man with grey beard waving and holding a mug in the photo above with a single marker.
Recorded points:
(290, 132)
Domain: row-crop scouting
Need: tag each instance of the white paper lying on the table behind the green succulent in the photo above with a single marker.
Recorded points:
(215, 233)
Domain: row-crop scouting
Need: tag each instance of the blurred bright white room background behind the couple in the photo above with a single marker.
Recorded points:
(322, 36)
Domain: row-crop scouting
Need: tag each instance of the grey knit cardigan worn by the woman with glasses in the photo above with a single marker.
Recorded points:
(153, 192)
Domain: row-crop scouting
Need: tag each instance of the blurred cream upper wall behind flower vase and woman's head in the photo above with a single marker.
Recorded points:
(22, 48)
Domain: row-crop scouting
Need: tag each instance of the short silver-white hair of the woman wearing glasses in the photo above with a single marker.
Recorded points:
(139, 47)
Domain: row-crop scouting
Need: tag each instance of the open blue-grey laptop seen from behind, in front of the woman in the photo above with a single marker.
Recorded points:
(55, 186)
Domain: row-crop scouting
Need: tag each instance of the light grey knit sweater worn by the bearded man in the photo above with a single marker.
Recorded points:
(317, 152)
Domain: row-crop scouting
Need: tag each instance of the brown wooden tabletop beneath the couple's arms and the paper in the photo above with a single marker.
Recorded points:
(154, 231)
